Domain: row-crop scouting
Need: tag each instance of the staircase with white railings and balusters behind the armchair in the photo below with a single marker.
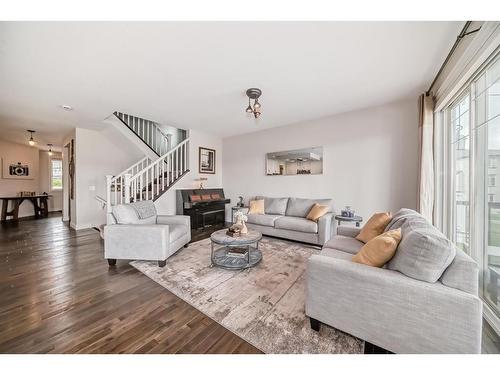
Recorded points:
(148, 178)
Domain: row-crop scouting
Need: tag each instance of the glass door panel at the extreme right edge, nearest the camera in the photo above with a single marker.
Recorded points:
(486, 133)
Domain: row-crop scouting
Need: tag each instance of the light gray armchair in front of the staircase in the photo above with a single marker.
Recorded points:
(135, 231)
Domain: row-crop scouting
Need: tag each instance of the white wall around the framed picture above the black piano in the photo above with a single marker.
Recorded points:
(166, 204)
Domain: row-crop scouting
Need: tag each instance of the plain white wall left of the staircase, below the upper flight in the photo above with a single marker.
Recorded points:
(97, 154)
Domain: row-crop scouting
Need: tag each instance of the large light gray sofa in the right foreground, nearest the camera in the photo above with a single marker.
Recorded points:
(390, 309)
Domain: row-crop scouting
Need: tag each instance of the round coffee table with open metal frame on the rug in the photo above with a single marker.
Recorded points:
(235, 253)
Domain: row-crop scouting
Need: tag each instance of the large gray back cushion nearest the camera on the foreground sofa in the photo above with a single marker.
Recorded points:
(424, 253)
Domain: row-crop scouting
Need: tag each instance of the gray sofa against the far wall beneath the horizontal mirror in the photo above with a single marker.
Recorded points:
(286, 218)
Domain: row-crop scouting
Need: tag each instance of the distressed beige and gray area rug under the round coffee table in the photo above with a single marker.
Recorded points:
(264, 305)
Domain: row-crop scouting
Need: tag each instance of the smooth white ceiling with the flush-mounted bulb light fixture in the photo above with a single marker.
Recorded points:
(195, 74)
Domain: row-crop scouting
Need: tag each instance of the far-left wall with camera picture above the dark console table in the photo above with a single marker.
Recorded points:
(16, 152)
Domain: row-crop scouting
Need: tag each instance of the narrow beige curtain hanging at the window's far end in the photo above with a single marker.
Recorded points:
(425, 202)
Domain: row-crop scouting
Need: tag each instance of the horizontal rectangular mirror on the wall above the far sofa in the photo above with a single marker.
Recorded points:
(293, 162)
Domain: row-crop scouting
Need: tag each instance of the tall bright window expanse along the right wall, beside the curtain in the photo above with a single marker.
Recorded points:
(470, 161)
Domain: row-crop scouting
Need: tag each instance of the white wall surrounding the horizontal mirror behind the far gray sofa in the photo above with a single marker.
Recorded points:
(370, 159)
